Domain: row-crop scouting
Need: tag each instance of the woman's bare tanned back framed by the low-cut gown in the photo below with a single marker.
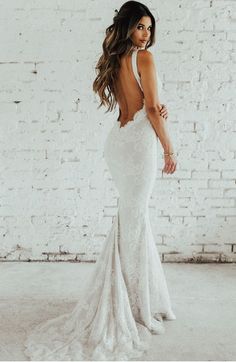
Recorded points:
(128, 93)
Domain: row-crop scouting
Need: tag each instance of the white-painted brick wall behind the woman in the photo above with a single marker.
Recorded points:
(57, 196)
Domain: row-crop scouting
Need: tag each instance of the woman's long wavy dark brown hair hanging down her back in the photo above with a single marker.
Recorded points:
(116, 43)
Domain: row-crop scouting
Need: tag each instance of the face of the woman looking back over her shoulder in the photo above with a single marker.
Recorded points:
(142, 32)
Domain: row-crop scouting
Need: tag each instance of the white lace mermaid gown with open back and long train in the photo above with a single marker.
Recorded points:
(126, 297)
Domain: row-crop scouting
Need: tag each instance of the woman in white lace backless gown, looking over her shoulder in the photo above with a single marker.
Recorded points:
(126, 297)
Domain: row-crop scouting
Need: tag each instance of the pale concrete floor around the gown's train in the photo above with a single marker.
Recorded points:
(203, 298)
